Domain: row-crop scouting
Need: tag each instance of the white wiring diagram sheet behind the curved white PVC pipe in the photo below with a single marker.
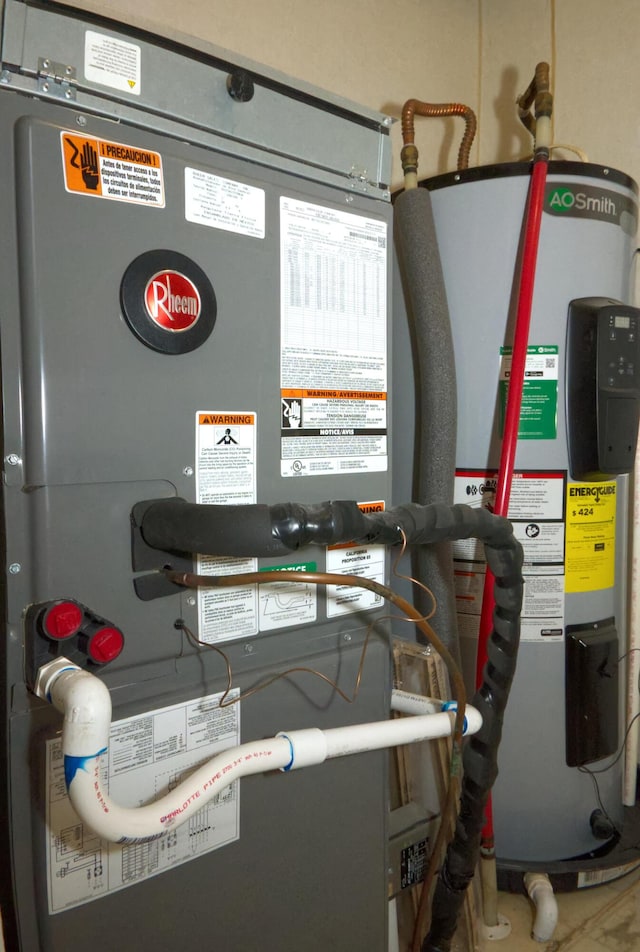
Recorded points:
(149, 755)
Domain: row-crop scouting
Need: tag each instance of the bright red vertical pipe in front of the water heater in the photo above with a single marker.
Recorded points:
(535, 204)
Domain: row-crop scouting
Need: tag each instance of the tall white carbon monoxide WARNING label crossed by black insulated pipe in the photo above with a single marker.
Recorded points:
(226, 474)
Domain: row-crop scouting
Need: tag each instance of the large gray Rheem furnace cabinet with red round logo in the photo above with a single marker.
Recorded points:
(195, 273)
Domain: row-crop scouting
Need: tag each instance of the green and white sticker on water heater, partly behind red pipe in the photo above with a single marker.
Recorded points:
(539, 410)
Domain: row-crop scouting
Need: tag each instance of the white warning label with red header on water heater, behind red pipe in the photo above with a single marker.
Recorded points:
(537, 513)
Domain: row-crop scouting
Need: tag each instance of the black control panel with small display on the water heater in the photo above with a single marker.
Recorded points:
(603, 387)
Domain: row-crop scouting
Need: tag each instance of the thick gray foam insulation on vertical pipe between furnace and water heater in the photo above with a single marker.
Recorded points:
(436, 404)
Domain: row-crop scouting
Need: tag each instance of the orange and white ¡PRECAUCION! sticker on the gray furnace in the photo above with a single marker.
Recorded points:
(111, 170)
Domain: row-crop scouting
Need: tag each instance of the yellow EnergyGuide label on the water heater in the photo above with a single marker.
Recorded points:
(591, 536)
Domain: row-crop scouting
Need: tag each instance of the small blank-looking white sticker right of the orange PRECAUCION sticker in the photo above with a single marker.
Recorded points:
(223, 203)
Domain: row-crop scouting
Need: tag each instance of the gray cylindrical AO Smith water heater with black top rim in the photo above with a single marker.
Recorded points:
(569, 507)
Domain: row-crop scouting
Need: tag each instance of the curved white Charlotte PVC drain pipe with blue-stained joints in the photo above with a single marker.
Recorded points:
(84, 700)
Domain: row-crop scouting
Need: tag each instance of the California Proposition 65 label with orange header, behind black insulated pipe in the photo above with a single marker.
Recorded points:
(367, 561)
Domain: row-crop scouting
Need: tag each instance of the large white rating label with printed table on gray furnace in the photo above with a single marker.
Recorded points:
(333, 360)
